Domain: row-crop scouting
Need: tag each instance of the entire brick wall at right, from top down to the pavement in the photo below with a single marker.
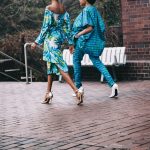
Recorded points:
(136, 37)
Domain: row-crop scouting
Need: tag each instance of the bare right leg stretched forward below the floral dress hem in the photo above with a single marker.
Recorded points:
(68, 80)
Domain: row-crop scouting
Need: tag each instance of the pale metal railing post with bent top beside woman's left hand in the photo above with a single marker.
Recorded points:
(26, 62)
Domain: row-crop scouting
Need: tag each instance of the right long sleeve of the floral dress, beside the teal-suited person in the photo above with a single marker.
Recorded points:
(67, 30)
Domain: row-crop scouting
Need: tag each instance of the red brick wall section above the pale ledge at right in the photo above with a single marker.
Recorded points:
(136, 28)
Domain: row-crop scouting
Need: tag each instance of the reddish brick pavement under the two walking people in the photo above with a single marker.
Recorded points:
(100, 123)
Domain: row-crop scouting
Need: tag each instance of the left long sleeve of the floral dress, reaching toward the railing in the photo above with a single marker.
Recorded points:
(46, 24)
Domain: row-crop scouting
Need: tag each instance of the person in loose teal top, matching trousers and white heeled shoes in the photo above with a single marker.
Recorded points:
(88, 32)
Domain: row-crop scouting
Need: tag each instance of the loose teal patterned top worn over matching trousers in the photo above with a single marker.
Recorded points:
(95, 40)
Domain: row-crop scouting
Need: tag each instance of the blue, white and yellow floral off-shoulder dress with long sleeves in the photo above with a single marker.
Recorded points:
(55, 30)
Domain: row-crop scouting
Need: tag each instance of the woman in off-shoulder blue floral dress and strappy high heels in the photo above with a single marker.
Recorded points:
(55, 29)
